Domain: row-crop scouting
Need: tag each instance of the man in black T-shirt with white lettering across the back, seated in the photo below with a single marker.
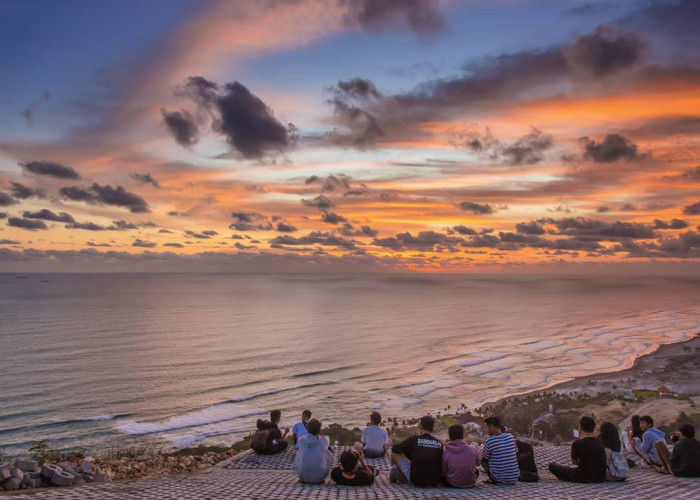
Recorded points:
(418, 459)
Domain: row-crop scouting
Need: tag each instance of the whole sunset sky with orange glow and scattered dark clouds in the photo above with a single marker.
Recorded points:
(349, 135)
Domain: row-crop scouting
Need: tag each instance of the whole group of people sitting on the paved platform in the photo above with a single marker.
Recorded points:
(424, 460)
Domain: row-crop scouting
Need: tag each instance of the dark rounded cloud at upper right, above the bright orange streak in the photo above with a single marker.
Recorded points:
(605, 51)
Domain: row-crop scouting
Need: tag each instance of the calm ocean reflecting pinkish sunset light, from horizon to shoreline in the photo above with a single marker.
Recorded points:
(95, 360)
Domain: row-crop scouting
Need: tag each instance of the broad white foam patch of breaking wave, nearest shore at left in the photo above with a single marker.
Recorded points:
(206, 416)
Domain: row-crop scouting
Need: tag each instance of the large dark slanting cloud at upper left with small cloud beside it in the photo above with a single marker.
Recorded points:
(248, 124)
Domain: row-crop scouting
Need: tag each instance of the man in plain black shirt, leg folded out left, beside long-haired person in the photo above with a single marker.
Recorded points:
(588, 454)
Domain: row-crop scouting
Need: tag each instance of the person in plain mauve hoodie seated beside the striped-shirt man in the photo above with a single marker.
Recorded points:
(459, 460)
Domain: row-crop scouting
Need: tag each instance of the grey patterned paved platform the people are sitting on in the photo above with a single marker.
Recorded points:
(272, 477)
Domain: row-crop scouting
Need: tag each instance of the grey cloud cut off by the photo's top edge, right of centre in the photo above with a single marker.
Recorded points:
(423, 17)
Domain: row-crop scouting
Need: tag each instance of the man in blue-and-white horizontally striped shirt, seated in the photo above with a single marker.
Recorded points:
(499, 454)
